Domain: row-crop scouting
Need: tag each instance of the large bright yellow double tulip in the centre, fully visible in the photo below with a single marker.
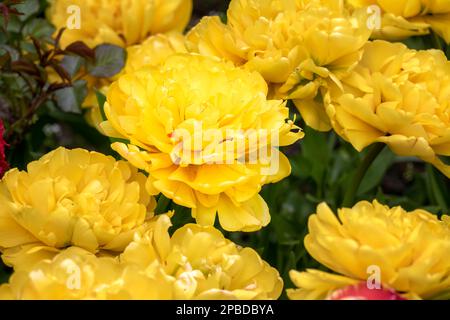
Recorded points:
(195, 124)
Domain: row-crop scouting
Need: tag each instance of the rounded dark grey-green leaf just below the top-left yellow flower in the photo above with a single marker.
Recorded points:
(109, 60)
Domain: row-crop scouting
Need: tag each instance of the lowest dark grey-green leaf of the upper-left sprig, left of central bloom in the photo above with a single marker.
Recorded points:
(71, 98)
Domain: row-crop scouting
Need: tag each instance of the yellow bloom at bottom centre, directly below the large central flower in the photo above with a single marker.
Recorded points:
(201, 264)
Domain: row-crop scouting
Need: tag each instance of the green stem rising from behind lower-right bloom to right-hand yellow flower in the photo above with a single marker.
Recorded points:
(370, 157)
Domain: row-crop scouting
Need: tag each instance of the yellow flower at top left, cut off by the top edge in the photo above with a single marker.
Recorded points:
(119, 22)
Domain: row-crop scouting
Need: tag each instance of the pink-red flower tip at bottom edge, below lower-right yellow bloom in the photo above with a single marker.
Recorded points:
(360, 291)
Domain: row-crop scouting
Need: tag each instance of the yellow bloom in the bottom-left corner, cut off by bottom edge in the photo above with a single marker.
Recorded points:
(77, 274)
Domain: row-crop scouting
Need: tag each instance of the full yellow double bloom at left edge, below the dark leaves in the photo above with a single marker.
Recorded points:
(71, 197)
